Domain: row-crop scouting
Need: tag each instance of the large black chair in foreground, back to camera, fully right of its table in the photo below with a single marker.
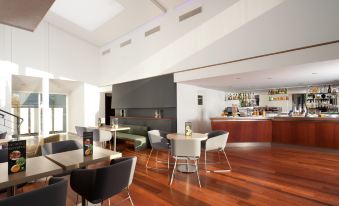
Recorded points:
(97, 185)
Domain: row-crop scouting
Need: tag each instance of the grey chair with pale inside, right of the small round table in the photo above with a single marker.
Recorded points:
(216, 142)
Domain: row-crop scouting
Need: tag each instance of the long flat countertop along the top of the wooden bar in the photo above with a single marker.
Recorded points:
(260, 118)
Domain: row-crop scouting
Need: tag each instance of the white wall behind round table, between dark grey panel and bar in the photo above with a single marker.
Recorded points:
(188, 109)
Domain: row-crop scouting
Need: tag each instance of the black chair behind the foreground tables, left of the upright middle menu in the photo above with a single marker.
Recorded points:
(58, 147)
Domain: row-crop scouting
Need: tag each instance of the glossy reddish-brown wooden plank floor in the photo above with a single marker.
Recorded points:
(277, 175)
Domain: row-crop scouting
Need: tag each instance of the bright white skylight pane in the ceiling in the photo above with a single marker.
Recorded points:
(88, 14)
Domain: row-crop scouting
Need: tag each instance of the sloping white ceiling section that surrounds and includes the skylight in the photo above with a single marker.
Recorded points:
(132, 15)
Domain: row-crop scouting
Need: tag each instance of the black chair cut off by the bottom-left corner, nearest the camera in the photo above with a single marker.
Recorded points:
(52, 195)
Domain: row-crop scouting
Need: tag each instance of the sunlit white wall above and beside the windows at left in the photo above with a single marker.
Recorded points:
(50, 53)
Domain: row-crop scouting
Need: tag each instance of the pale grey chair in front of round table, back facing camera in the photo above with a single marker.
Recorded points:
(188, 150)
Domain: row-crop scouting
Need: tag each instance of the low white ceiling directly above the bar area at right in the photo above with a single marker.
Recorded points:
(295, 76)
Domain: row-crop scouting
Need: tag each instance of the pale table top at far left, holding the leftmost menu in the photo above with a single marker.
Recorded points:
(36, 168)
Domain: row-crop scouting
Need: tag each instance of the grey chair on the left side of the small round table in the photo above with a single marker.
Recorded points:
(158, 143)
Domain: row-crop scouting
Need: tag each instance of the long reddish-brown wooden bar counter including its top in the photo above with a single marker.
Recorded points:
(308, 131)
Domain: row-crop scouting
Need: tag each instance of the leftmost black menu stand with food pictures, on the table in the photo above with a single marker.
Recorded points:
(16, 156)
